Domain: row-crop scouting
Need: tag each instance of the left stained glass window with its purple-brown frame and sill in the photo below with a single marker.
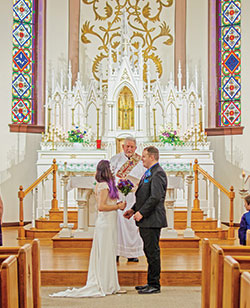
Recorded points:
(28, 66)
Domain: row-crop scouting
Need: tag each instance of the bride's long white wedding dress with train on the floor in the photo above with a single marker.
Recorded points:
(102, 273)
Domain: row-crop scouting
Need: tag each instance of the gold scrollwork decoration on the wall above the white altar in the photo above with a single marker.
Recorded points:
(145, 29)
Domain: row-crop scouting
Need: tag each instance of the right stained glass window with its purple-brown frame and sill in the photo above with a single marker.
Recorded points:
(224, 80)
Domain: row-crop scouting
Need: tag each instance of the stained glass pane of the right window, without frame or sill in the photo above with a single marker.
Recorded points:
(229, 63)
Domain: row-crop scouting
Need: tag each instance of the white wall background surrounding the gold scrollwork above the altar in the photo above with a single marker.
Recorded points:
(88, 52)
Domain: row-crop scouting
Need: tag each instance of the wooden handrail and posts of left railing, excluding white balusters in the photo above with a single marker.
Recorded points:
(23, 193)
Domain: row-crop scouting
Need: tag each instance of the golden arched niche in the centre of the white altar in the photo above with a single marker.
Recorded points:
(126, 109)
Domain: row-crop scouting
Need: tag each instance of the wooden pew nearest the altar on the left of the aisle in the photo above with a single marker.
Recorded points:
(29, 273)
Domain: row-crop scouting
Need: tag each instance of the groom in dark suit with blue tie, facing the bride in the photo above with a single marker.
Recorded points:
(150, 216)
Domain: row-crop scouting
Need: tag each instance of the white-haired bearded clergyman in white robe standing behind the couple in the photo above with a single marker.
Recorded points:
(128, 165)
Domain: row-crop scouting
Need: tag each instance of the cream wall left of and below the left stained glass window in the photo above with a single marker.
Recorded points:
(18, 151)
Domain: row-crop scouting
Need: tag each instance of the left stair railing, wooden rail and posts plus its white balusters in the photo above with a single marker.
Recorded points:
(33, 189)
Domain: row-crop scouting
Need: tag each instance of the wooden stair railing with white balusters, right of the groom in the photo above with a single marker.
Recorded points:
(230, 194)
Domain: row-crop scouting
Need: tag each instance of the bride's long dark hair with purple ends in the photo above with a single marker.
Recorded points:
(104, 174)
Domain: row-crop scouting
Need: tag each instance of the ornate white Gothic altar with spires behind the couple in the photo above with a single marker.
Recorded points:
(85, 123)
